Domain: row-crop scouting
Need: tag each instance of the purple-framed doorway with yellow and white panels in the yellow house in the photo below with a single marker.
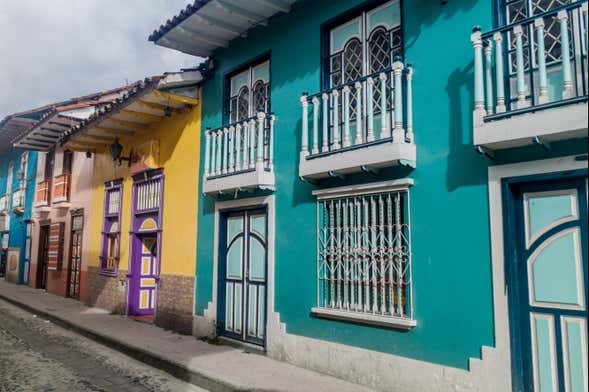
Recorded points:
(144, 271)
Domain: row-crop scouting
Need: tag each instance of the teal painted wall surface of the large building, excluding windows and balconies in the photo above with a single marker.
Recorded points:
(450, 226)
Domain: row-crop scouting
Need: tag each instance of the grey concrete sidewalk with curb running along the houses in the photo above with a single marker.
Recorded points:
(217, 368)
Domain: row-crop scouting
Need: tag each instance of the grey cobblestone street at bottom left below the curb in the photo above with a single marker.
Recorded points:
(37, 355)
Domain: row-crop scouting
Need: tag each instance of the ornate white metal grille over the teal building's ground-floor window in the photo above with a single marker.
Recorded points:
(364, 254)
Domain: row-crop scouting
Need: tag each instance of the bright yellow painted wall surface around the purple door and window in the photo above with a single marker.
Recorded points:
(179, 142)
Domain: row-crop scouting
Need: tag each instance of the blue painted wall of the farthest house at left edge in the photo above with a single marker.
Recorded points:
(18, 222)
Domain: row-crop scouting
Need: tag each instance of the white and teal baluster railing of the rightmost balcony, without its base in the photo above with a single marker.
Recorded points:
(537, 63)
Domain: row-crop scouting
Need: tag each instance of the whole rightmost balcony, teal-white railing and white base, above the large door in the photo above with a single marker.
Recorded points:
(530, 80)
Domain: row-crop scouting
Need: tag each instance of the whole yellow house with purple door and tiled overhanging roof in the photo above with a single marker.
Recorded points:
(143, 224)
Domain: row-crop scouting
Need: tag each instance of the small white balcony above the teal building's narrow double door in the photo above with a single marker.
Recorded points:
(240, 155)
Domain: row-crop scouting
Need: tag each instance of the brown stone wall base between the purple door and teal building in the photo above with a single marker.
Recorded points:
(175, 303)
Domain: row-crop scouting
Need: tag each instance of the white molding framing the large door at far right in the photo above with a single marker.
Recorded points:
(500, 303)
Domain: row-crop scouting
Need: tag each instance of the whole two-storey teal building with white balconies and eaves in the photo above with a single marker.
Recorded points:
(449, 320)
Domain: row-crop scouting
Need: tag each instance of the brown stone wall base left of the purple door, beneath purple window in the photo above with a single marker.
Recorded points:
(106, 292)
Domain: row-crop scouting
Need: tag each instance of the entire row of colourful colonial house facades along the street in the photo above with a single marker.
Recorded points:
(386, 191)
